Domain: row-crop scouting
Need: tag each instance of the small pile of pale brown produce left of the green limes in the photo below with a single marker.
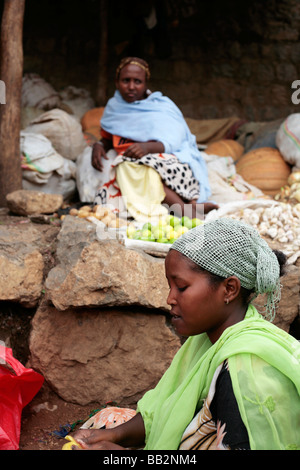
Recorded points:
(98, 212)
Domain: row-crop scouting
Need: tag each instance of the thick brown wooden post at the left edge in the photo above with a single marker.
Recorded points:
(11, 66)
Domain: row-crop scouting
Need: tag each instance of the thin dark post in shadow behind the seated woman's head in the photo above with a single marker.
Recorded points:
(101, 92)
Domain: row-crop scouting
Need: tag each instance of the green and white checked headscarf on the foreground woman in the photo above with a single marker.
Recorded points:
(228, 247)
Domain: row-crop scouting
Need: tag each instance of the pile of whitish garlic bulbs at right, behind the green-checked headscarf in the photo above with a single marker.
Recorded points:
(279, 222)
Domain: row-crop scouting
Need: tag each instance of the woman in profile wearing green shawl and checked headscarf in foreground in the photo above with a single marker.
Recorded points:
(235, 382)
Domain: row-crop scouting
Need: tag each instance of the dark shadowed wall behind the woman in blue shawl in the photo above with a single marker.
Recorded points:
(214, 59)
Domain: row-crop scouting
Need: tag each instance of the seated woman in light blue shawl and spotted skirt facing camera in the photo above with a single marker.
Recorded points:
(148, 131)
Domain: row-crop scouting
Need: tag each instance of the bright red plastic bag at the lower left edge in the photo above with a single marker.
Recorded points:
(18, 385)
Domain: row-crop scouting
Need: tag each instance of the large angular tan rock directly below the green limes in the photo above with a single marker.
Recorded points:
(93, 273)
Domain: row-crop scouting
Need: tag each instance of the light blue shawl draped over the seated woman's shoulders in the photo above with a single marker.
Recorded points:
(157, 118)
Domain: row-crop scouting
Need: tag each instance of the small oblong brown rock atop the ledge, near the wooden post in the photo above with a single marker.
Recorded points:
(26, 202)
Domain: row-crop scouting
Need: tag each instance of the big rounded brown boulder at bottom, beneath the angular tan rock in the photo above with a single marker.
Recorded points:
(100, 355)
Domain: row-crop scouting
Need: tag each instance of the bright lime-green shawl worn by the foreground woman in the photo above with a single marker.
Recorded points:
(264, 365)
